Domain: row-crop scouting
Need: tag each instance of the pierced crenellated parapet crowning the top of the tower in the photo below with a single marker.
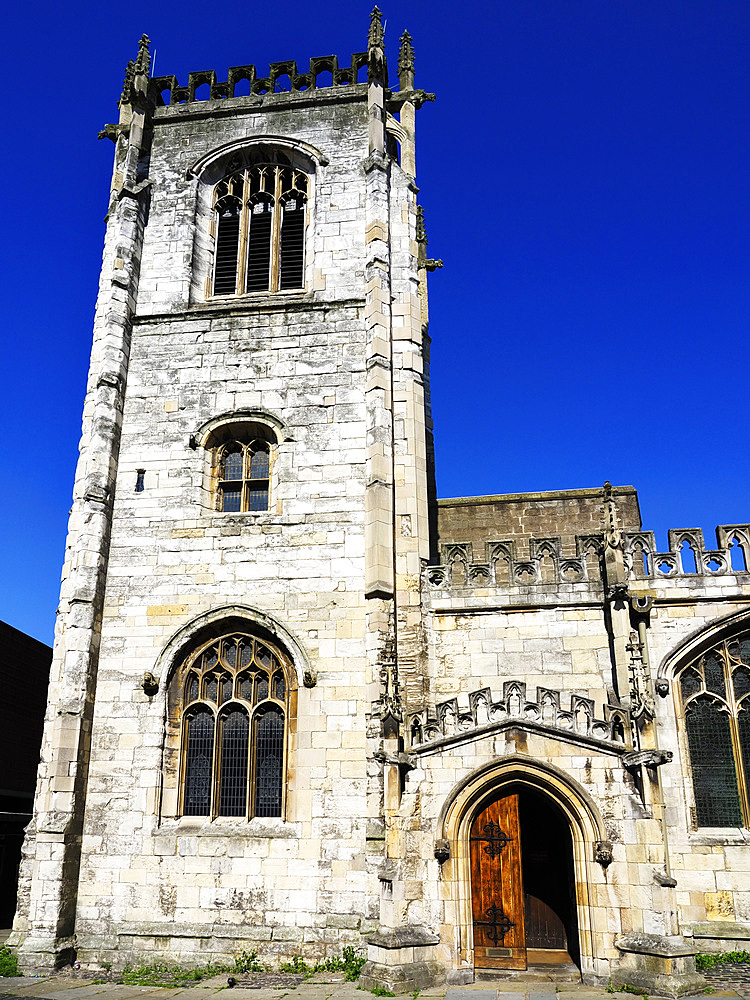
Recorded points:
(282, 76)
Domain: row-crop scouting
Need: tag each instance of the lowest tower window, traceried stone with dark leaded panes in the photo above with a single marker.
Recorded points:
(233, 709)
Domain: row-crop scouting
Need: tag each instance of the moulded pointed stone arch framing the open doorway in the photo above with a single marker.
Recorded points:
(587, 830)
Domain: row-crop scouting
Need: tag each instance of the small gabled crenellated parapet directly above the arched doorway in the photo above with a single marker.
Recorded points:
(448, 719)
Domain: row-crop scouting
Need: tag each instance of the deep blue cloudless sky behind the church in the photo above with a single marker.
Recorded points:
(584, 177)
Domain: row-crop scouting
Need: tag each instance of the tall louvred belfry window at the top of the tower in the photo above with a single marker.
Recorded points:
(260, 218)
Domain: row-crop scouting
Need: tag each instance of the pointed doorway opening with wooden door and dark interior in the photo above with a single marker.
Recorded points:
(523, 897)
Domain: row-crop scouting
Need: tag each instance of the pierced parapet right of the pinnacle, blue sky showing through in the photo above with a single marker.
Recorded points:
(687, 555)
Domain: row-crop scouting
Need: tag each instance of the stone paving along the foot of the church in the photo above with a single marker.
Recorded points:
(725, 981)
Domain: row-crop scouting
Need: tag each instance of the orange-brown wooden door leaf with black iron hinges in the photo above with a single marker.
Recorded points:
(496, 887)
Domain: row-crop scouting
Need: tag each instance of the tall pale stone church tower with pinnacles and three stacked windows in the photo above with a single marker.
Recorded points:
(250, 519)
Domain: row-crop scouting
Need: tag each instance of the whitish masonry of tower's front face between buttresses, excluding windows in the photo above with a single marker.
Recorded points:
(299, 884)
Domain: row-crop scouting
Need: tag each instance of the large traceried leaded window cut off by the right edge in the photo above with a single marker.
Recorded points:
(715, 692)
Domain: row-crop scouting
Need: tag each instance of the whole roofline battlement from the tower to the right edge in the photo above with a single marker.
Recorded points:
(505, 566)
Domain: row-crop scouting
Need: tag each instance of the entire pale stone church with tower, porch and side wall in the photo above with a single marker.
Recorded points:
(297, 702)
